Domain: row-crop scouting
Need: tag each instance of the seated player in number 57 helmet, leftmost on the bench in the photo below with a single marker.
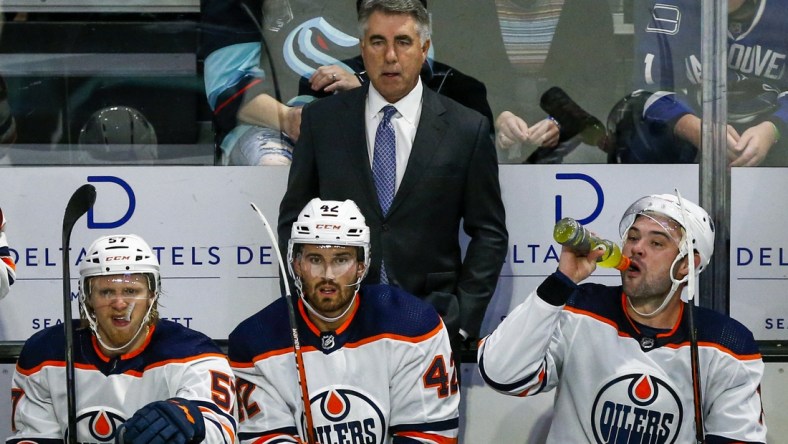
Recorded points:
(139, 379)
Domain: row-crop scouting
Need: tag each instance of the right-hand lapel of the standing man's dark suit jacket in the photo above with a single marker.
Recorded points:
(432, 127)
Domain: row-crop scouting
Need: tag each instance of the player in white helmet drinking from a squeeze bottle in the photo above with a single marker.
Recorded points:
(619, 356)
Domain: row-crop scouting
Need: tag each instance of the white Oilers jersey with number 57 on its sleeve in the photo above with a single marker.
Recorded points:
(173, 362)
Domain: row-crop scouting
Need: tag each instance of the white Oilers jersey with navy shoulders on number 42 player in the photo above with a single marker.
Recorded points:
(385, 376)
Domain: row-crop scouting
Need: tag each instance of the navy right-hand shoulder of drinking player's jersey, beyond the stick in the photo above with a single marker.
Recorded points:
(717, 328)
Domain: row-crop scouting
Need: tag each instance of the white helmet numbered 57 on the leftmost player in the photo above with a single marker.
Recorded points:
(119, 254)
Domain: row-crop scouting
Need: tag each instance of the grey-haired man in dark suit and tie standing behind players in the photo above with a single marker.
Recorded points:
(446, 172)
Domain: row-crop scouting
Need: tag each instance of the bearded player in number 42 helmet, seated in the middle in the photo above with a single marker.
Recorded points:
(377, 360)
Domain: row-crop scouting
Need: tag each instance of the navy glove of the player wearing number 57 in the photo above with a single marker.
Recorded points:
(175, 420)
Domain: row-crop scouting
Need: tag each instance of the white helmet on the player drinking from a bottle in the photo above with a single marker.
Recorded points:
(695, 221)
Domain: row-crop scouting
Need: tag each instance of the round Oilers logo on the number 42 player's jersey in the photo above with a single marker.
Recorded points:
(347, 415)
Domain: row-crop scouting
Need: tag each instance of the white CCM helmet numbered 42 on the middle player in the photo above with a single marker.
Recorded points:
(330, 222)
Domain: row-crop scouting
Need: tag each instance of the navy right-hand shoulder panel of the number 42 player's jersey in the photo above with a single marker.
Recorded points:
(390, 309)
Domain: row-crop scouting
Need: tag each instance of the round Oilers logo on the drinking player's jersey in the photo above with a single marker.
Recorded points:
(636, 408)
